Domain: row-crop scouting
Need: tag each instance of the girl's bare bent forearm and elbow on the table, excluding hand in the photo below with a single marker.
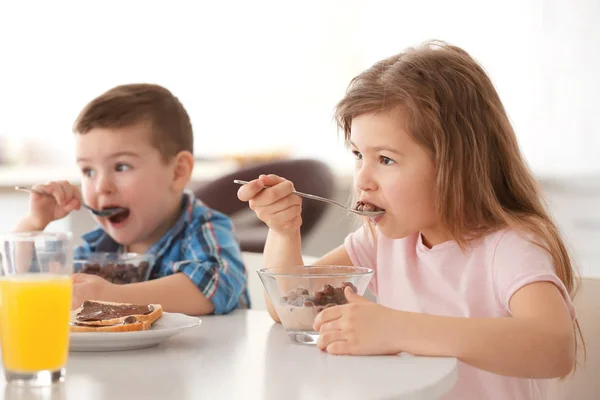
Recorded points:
(536, 342)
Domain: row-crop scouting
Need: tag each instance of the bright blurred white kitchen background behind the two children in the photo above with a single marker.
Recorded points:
(260, 80)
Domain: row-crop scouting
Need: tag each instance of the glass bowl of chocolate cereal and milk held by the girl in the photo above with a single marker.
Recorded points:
(300, 293)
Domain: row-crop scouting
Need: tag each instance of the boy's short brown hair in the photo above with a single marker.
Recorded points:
(127, 105)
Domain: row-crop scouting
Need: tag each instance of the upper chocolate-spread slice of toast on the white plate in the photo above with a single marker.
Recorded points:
(104, 313)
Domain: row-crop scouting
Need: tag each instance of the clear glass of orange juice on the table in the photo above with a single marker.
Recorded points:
(35, 306)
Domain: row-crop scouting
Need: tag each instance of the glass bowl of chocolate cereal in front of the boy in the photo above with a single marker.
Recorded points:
(119, 268)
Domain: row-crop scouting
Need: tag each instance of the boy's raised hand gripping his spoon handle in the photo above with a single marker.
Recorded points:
(64, 198)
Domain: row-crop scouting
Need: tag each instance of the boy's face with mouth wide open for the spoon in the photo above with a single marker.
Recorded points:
(121, 168)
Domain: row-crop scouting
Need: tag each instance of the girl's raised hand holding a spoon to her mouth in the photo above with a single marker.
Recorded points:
(271, 198)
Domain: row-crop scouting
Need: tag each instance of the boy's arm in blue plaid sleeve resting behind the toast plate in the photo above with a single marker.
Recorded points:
(210, 278)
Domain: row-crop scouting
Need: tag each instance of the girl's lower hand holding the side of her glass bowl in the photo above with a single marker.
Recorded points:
(360, 327)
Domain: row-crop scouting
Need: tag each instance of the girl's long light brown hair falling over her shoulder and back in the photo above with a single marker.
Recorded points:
(453, 110)
